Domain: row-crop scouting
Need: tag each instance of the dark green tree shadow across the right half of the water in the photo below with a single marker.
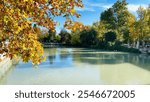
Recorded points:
(142, 61)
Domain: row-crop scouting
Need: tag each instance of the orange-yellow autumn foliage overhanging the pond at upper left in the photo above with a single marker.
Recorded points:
(16, 20)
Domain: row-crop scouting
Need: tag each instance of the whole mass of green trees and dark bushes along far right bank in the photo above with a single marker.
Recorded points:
(117, 29)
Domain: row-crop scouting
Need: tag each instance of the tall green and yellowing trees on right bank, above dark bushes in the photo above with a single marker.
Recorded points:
(128, 29)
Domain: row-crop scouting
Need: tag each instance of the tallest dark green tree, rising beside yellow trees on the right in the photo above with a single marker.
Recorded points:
(116, 18)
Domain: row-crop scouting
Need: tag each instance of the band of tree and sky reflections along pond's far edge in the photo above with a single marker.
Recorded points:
(97, 57)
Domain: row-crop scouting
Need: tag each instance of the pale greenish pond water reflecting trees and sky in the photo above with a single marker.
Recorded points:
(82, 66)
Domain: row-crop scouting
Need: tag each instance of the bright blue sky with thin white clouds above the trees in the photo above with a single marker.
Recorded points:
(93, 8)
